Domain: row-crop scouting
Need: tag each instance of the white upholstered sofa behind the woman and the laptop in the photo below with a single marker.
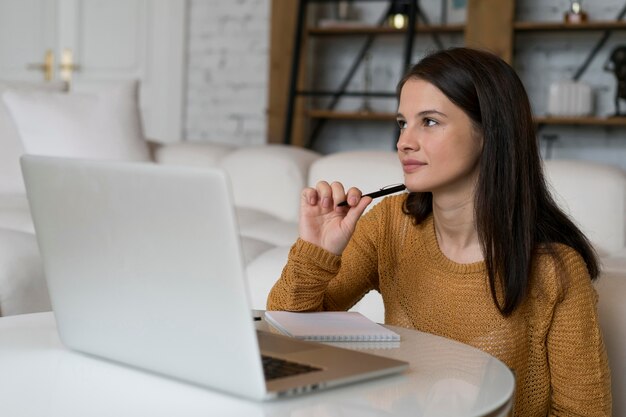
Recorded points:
(267, 181)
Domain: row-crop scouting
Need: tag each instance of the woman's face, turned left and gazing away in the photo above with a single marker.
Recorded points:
(438, 146)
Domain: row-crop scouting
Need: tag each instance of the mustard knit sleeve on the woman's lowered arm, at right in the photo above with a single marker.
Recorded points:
(579, 371)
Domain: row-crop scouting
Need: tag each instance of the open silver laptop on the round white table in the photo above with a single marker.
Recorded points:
(144, 266)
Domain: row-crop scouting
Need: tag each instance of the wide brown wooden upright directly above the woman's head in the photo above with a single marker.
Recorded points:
(490, 26)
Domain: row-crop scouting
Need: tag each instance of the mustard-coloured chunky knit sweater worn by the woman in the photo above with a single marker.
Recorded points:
(552, 341)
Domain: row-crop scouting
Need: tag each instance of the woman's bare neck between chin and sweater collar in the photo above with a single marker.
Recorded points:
(456, 229)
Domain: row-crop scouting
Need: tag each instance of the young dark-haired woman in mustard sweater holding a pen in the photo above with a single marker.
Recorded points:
(477, 251)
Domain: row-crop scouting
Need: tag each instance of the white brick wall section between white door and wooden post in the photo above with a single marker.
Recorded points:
(228, 49)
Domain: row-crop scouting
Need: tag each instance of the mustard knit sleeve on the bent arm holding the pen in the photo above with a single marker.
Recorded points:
(316, 280)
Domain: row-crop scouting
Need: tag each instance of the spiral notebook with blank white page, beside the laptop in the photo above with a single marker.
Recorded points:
(329, 326)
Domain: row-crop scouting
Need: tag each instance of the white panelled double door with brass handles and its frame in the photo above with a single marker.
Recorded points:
(107, 40)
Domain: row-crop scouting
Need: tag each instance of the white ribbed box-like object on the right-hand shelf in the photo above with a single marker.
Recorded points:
(570, 99)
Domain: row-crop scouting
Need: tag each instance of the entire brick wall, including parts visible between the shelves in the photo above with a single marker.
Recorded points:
(228, 64)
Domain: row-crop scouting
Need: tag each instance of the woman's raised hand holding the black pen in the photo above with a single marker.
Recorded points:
(322, 222)
